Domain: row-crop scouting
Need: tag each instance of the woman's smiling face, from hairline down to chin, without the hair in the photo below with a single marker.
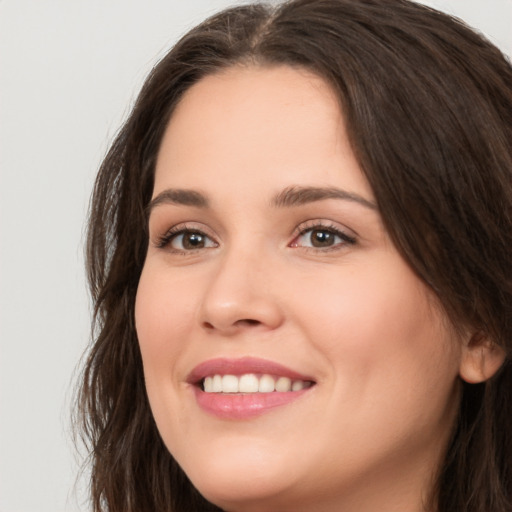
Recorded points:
(331, 372)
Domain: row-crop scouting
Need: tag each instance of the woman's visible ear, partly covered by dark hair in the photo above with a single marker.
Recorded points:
(481, 359)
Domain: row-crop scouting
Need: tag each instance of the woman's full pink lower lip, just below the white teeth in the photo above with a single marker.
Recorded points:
(243, 406)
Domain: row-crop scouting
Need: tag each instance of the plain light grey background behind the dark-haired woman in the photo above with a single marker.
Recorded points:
(69, 70)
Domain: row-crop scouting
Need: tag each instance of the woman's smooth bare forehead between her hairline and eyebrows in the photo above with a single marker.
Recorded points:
(279, 123)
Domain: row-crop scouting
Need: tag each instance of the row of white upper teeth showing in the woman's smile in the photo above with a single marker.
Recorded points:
(251, 383)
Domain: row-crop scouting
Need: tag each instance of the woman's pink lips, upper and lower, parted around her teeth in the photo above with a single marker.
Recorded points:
(242, 406)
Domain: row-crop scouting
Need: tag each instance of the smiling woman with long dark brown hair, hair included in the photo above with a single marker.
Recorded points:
(299, 252)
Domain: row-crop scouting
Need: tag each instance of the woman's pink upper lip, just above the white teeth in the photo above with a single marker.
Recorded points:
(241, 366)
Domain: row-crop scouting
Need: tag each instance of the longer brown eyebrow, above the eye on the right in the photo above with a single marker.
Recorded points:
(296, 196)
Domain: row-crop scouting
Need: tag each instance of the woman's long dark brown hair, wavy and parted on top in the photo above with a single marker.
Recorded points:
(428, 105)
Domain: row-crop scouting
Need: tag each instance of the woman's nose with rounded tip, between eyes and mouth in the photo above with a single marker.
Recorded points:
(241, 295)
